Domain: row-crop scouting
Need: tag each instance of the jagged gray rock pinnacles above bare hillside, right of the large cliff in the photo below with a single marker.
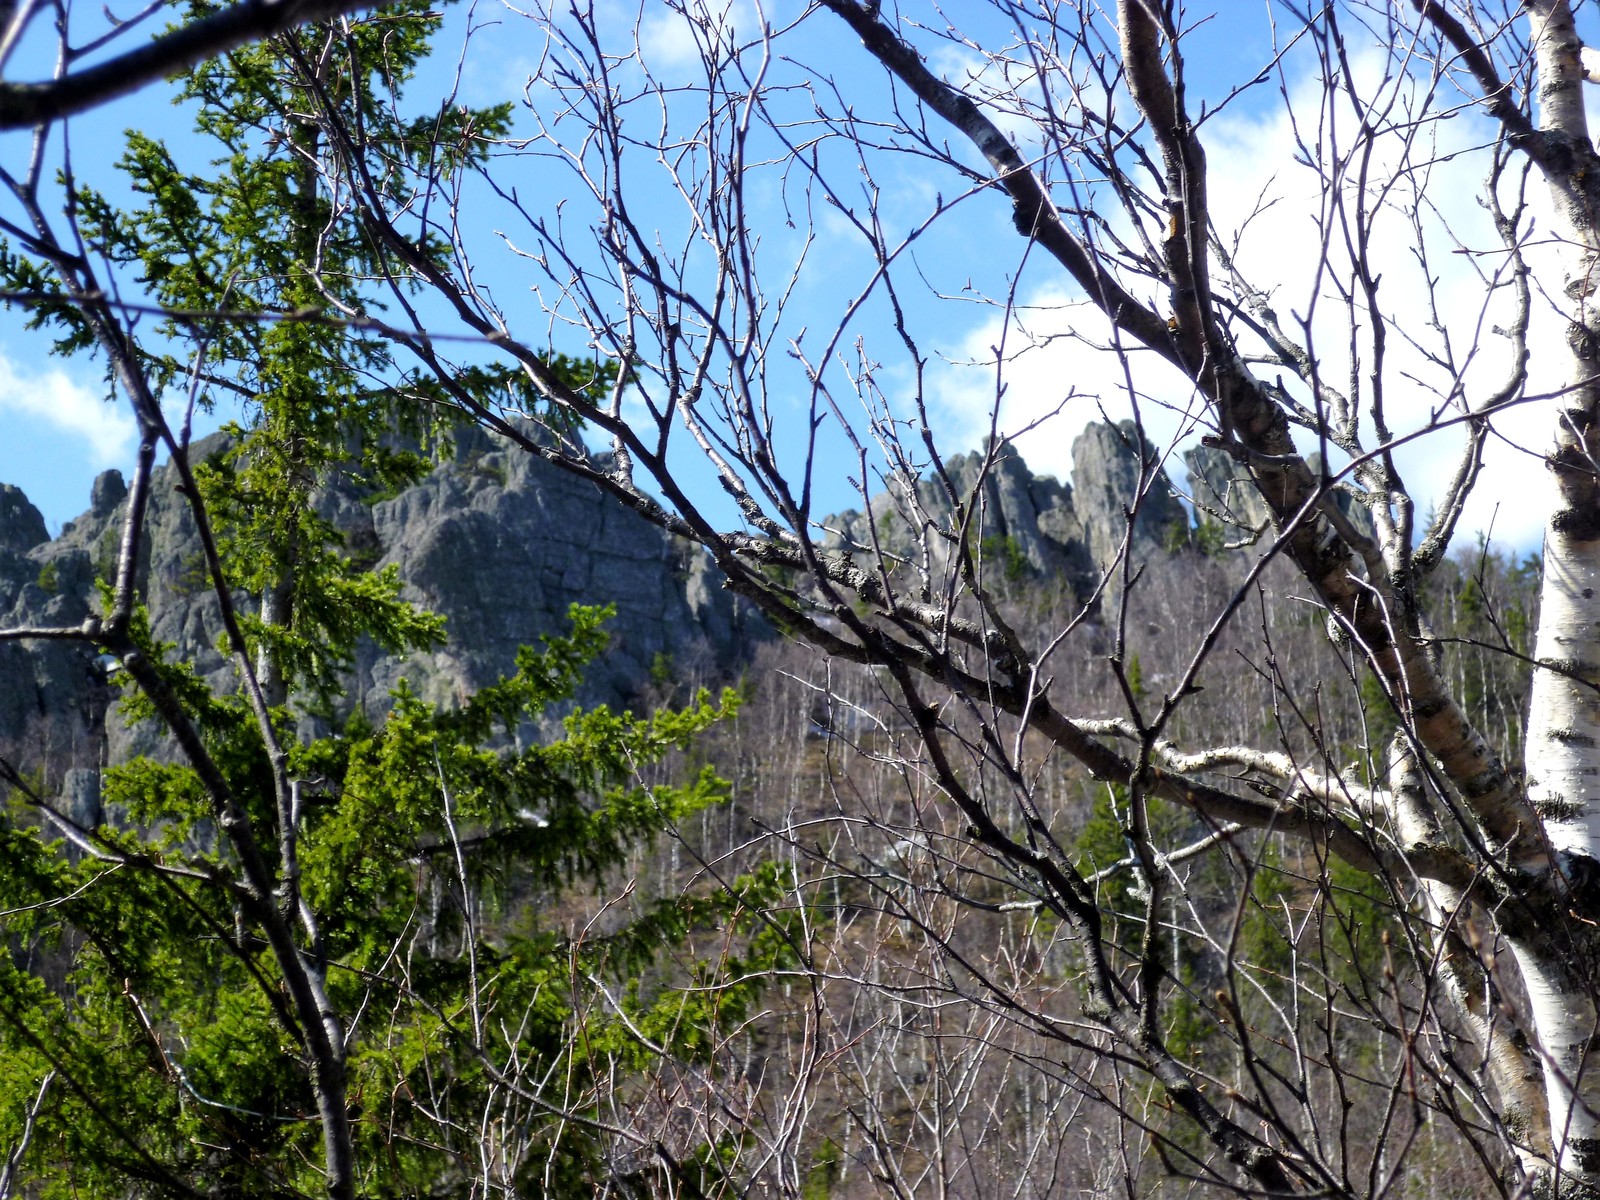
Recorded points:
(1030, 524)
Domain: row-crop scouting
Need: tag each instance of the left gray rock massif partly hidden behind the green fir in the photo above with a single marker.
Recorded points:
(495, 540)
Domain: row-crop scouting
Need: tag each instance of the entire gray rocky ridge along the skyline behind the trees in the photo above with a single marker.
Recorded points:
(502, 545)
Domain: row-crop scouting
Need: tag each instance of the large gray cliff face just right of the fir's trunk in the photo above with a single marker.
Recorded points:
(502, 545)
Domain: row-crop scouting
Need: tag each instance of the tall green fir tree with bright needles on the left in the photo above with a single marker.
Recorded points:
(316, 967)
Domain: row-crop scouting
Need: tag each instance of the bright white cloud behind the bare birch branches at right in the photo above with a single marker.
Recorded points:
(1060, 377)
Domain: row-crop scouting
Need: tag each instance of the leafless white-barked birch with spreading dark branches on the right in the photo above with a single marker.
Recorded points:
(1087, 130)
